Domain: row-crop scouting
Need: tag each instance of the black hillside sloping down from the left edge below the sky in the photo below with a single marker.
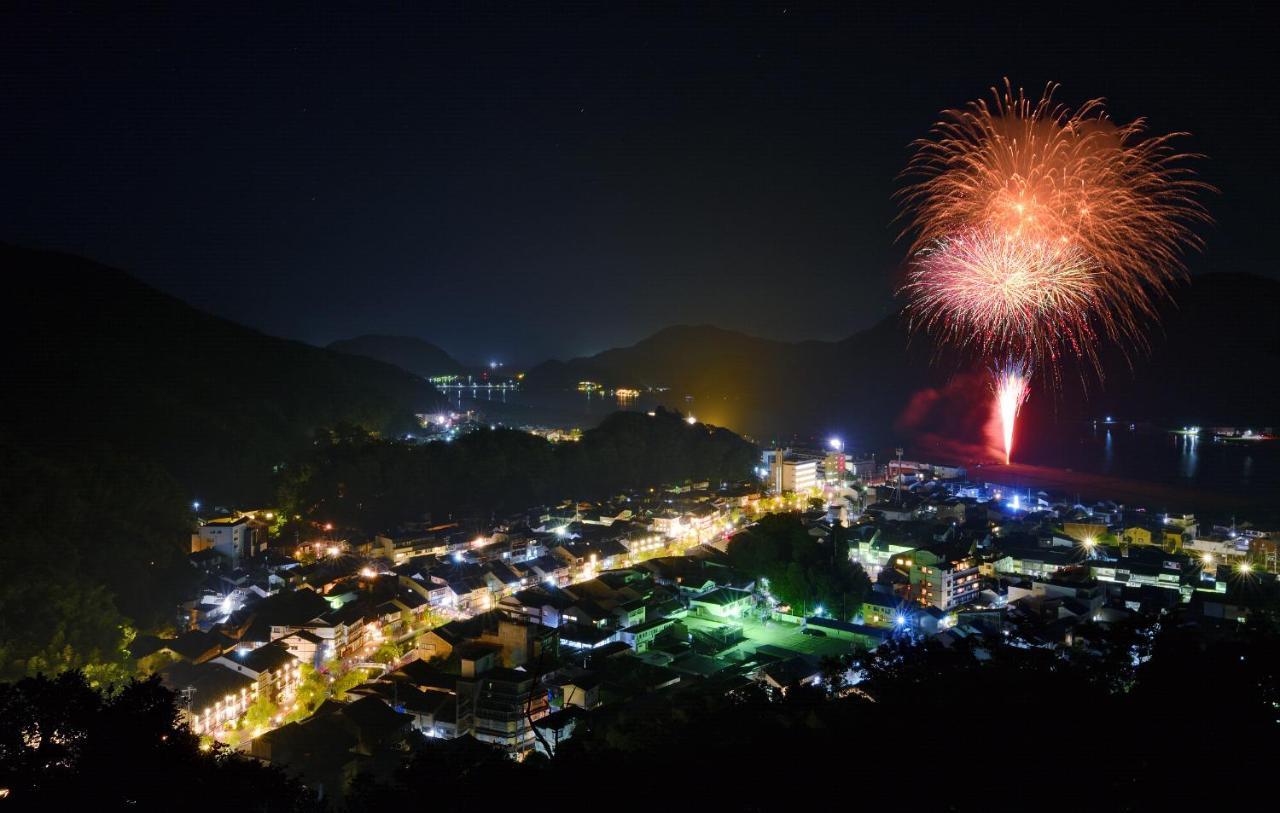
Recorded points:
(95, 358)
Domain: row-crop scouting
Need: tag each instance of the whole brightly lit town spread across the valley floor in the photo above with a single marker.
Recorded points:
(330, 654)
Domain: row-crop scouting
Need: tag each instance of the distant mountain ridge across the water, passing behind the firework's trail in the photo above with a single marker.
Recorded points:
(1215, 359)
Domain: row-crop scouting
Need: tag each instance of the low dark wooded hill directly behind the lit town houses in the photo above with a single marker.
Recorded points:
(367, 483)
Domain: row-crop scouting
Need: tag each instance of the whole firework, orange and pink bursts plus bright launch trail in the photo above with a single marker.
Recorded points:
(1039, 231)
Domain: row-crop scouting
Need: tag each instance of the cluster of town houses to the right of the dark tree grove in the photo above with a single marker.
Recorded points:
(963, 560)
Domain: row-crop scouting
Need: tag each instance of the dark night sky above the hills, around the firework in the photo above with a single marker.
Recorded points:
(529, 184)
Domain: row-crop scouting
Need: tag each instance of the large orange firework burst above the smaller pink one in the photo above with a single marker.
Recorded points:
(1044, 173)
